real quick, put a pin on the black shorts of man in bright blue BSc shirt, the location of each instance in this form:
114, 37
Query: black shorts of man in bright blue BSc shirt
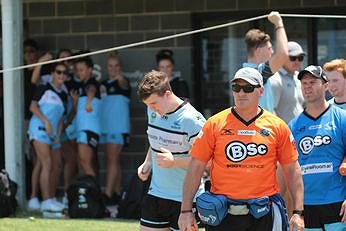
316, 216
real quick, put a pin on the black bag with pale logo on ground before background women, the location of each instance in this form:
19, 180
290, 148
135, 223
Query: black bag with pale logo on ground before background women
85, 198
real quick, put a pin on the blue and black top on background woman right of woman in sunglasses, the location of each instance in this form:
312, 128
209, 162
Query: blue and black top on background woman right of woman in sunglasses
89, 121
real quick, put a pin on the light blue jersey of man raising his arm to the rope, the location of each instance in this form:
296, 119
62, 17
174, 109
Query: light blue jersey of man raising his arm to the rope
266, 101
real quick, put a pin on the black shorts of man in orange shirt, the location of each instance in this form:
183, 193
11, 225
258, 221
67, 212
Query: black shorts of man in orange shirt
244, 223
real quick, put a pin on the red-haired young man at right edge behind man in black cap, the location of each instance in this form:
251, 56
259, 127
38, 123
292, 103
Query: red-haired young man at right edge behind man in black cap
336, 72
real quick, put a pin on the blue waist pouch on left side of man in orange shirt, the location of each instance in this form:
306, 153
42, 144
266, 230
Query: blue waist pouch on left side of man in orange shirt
212, 208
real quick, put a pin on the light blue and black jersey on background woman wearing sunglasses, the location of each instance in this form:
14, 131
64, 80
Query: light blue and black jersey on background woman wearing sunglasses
52, 104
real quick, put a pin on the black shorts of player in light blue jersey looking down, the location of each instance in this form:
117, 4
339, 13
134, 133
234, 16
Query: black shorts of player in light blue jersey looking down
160, 213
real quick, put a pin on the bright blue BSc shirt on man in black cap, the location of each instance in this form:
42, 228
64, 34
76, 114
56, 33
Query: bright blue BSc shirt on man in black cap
321, 143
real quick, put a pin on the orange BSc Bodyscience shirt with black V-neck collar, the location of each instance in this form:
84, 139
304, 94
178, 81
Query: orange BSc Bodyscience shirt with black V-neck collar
244, 154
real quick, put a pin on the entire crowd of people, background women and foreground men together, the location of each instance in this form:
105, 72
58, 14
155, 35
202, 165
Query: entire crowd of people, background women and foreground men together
280, 144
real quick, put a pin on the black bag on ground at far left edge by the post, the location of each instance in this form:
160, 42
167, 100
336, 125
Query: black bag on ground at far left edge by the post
8, 190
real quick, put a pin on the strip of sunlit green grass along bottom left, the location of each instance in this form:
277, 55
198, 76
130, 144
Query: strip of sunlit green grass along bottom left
34, 222
